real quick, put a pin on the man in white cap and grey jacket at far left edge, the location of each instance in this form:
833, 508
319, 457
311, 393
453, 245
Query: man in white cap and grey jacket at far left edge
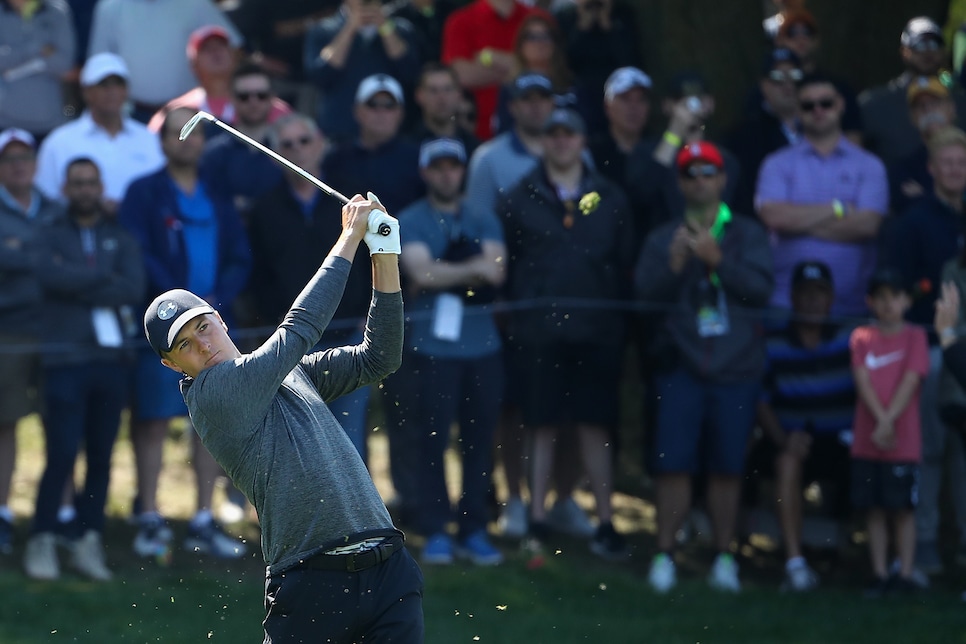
23, 210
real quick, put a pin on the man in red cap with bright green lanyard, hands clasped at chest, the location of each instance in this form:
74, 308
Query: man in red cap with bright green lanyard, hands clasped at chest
709, 274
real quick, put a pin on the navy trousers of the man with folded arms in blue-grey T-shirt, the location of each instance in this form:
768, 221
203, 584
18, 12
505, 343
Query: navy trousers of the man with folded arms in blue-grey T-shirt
470, 392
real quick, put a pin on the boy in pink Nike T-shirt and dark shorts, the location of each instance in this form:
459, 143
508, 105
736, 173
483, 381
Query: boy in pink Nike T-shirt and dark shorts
889, 361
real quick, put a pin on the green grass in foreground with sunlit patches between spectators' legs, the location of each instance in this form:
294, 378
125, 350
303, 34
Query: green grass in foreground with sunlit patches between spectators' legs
571, 598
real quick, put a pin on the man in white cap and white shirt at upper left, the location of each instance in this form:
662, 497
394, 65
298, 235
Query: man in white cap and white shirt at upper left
123, 148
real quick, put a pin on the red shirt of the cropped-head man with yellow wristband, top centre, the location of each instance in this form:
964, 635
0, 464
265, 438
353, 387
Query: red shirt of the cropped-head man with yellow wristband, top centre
478, 45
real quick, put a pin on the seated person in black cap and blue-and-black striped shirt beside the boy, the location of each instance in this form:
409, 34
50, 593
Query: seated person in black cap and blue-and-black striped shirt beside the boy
805, 412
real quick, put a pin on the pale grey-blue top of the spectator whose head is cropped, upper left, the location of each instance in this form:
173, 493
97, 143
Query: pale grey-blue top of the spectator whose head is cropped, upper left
151, 36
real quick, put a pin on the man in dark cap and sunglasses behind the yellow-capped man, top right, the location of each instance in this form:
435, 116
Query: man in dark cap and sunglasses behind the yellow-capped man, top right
886, 128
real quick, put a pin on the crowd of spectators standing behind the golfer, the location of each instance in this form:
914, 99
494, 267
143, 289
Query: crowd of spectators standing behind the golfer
776, 287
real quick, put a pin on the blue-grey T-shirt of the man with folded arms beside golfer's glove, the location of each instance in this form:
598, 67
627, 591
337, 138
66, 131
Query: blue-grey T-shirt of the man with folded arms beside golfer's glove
421, 223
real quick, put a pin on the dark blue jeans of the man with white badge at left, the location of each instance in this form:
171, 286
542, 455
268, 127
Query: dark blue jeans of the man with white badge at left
81, 403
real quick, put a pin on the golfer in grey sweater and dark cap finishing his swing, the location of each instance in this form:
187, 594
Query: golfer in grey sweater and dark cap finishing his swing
336, 567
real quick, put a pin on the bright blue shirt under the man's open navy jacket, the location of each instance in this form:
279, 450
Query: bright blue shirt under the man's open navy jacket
200, 238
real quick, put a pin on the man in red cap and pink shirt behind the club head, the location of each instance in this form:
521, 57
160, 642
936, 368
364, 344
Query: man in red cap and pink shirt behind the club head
213, 60
